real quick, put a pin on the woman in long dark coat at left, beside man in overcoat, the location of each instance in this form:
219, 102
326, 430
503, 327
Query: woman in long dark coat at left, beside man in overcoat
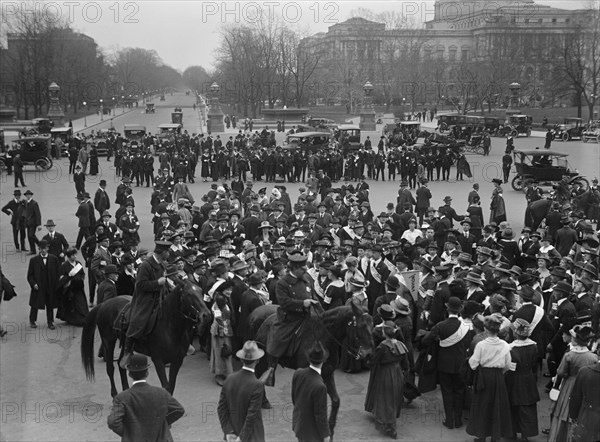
72, 306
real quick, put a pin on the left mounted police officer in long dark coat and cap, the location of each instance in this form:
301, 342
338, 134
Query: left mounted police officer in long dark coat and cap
149, 285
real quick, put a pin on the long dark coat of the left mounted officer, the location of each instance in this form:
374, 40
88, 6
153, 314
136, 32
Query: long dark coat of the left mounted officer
145, 298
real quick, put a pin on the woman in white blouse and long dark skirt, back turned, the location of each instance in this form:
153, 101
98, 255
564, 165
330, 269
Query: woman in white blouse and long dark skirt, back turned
490, 409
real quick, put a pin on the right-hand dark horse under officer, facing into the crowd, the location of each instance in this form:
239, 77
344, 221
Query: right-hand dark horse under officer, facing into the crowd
347, 324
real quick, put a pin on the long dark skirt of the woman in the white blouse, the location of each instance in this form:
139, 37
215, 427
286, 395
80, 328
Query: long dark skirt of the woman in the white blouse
490, 409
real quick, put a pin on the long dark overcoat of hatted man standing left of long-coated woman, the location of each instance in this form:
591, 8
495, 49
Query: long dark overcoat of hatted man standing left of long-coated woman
46, 277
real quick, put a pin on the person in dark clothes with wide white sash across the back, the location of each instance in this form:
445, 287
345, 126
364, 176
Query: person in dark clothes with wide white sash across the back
453, 336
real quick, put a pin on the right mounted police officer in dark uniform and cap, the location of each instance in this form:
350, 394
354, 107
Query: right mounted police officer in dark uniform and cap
295, 298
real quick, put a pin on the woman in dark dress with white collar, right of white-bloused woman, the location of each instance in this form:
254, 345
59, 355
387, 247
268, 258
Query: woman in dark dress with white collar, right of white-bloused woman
521, 382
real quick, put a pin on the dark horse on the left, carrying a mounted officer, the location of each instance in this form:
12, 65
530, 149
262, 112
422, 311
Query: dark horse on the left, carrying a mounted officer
180, 312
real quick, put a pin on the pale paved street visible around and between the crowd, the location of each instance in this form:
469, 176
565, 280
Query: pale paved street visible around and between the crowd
45, 395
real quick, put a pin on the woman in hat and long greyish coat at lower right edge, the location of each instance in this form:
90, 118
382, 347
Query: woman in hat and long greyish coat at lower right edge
576, 358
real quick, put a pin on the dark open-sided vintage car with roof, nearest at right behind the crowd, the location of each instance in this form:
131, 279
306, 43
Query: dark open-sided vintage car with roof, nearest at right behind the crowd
544, 166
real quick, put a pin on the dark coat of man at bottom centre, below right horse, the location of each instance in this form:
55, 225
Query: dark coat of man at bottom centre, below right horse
309, 396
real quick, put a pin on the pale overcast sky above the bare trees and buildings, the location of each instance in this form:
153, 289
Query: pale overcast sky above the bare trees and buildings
186, 33
